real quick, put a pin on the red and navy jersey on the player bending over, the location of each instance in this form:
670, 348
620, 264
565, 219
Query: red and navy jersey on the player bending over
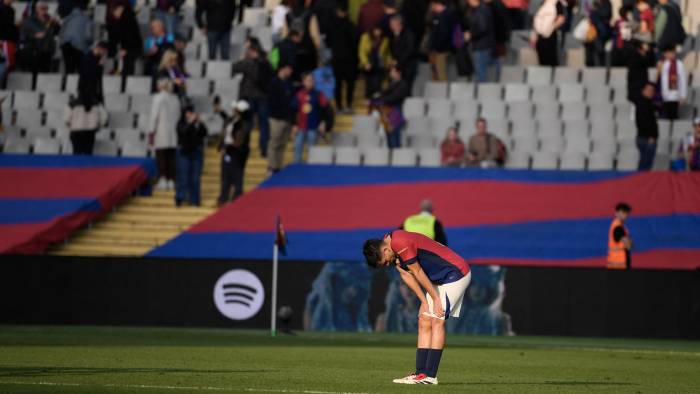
439, 262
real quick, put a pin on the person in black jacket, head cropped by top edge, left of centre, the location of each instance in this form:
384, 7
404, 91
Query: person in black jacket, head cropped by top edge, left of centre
217, 26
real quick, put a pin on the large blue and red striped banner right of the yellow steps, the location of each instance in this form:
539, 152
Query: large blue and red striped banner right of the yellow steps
553, 218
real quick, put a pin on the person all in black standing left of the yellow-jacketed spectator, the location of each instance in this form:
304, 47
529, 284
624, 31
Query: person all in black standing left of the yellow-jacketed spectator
344, 47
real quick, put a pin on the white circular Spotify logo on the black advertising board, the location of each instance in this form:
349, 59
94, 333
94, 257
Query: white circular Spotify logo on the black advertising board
239, 294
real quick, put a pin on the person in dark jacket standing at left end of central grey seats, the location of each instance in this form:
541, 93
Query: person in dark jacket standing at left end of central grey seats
390, 102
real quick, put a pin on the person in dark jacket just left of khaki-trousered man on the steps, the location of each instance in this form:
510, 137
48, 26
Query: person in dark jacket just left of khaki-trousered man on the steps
257, 74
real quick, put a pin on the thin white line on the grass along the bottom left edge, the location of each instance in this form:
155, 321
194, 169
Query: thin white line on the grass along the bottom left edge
191, 388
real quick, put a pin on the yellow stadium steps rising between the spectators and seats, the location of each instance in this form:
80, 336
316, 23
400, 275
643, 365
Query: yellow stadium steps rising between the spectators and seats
139, 224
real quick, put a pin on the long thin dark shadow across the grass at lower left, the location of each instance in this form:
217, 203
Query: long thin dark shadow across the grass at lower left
53, 371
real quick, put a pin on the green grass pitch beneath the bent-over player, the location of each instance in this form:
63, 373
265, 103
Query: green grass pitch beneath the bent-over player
151, 360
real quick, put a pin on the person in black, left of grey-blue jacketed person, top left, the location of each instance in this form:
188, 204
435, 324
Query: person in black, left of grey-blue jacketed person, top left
38, 35
